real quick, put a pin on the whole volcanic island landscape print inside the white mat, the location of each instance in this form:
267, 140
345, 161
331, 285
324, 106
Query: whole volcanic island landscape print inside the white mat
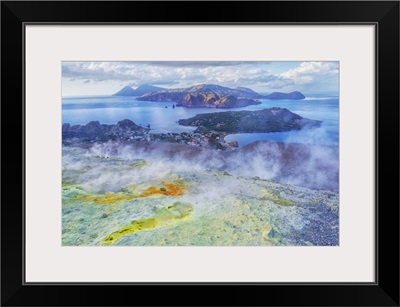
137, 170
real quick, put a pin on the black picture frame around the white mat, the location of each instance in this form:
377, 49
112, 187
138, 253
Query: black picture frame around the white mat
383, 14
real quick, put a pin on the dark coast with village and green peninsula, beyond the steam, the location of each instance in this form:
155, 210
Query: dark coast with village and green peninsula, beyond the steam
211, 128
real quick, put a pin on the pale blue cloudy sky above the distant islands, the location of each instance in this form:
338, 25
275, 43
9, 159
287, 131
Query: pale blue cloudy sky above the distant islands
106, 78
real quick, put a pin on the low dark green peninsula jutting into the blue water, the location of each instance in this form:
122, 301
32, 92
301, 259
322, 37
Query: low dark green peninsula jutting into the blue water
267, 120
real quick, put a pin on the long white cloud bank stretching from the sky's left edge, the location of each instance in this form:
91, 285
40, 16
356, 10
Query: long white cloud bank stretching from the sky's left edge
188, 73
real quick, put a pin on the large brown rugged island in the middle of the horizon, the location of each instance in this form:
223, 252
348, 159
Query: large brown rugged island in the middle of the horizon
206, 96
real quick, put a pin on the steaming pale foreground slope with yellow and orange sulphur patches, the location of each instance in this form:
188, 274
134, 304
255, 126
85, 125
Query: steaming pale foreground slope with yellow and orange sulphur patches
161, 194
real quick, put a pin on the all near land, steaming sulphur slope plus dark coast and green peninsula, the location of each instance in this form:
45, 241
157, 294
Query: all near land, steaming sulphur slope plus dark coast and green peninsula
122, 185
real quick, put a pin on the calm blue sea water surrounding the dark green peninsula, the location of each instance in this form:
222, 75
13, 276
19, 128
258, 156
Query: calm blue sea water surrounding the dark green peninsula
163, 118
